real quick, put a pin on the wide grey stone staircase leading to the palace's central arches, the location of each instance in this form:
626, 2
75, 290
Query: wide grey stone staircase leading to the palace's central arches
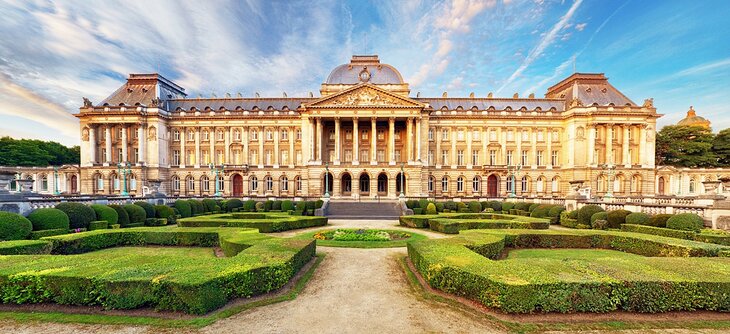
363, 210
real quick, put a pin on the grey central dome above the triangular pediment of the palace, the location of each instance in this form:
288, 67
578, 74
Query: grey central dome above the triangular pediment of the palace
364, 69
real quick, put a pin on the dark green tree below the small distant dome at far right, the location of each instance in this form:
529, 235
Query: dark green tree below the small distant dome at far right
685, 146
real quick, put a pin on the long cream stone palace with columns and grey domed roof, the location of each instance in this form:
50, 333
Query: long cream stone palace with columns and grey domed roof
367, 135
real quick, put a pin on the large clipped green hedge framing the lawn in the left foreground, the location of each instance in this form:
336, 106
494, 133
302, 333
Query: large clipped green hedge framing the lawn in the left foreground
255, 264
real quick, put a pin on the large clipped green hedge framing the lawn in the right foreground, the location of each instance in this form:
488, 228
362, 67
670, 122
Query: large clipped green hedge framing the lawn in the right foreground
462, 266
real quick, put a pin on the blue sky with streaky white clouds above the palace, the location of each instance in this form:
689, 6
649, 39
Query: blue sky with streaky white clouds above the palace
54, 53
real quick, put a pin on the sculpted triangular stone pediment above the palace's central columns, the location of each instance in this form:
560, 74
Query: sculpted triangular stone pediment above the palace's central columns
365, 95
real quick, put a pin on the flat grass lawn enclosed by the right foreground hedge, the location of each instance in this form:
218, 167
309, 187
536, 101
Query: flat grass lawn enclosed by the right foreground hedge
570, 254
